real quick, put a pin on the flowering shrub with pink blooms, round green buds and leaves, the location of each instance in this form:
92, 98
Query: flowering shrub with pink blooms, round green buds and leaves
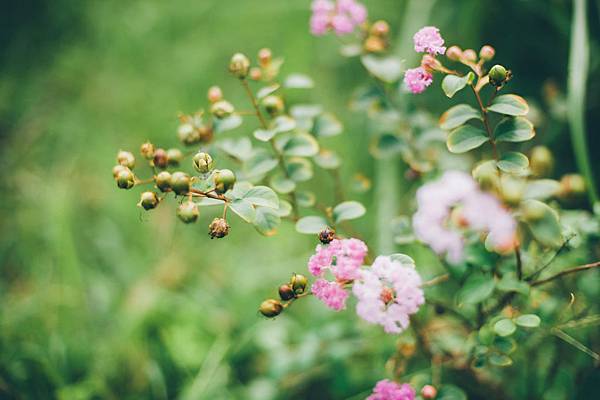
490, 213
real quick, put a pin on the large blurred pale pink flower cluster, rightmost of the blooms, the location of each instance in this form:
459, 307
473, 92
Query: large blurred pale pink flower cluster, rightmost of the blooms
479, 211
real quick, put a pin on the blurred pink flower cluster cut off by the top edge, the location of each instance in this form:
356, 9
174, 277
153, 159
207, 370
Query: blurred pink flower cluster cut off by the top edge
341, 16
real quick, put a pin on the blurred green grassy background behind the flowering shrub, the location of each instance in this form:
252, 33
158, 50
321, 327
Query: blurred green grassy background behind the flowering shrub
98, 299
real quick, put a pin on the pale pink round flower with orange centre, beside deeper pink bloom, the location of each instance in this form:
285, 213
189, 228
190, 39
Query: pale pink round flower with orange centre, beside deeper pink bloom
388, 293
